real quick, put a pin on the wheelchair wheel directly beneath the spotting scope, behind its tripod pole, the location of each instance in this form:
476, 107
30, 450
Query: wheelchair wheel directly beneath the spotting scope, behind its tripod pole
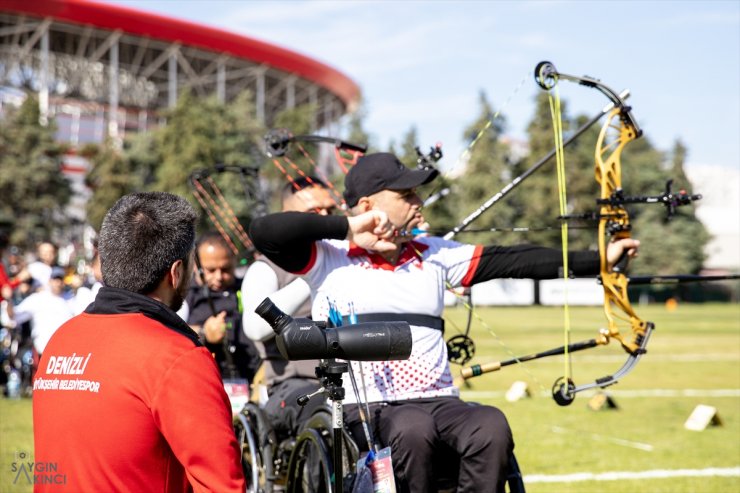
311, 469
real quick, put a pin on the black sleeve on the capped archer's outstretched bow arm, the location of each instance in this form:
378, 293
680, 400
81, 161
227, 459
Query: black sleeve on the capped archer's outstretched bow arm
532, 262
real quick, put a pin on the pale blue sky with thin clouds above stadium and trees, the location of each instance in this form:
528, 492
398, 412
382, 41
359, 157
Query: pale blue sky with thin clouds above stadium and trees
423, 64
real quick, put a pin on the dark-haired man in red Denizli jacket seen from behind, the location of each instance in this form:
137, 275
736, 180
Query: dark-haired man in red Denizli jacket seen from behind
125, 397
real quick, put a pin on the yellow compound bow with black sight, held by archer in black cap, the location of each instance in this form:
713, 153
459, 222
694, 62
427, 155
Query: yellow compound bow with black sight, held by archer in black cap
619, 129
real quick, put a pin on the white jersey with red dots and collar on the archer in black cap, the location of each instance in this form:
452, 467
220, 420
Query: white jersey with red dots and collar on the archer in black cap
349, 276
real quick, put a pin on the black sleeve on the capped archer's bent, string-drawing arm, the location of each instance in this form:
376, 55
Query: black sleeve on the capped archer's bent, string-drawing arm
287, 238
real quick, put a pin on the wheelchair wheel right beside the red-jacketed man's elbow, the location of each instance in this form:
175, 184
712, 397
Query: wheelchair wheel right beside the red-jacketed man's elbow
257, 444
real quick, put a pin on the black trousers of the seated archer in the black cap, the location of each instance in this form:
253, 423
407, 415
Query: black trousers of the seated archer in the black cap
421, 431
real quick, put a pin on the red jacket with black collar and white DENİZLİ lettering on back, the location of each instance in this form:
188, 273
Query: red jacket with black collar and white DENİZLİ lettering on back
126, 399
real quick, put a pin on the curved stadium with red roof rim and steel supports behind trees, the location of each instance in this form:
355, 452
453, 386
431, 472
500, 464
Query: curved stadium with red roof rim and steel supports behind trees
102, 69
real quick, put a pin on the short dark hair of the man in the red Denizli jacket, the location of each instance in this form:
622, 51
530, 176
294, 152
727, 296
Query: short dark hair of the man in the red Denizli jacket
142, 235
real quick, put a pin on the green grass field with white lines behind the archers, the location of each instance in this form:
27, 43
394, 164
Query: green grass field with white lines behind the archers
693, 358
